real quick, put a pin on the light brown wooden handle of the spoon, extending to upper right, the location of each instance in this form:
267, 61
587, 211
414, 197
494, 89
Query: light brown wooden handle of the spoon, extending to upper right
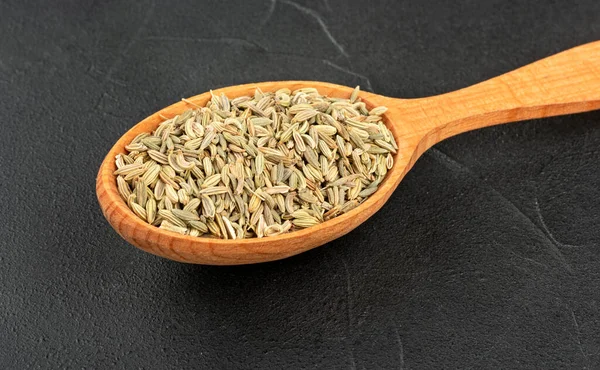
568, 82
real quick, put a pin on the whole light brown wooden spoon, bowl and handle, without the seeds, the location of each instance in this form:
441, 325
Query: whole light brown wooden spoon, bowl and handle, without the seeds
568, 82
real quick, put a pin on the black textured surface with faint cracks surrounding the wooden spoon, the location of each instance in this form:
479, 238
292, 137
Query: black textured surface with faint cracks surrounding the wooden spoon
487, 255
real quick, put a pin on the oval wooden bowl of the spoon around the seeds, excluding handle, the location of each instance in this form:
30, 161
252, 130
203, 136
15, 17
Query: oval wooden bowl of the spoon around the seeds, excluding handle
212, 251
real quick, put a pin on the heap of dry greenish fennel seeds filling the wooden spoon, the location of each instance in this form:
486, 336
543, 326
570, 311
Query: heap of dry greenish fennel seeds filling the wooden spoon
256, 166
